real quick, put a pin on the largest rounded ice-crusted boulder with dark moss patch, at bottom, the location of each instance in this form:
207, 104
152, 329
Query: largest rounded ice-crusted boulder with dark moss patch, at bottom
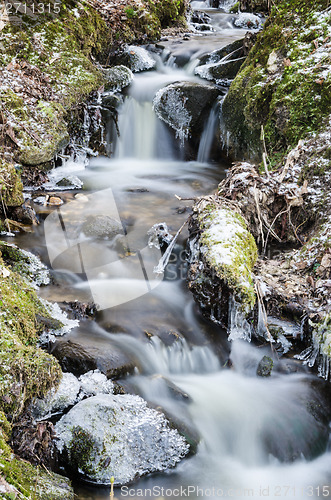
107, 435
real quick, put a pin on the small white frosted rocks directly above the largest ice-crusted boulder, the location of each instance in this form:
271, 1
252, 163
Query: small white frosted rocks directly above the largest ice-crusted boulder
70, 391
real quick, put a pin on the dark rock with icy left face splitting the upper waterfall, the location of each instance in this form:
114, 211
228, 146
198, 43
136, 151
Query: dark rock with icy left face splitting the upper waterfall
184, 106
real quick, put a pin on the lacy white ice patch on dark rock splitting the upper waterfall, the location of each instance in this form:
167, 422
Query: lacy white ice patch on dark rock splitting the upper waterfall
170, 107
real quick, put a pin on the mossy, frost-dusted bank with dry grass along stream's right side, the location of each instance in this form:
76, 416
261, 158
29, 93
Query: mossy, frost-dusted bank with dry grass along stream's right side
277, 116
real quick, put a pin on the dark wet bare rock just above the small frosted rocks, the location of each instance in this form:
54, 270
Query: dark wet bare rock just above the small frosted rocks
83, 356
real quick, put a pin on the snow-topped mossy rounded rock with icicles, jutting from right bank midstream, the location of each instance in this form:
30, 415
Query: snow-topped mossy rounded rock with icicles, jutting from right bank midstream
222, 256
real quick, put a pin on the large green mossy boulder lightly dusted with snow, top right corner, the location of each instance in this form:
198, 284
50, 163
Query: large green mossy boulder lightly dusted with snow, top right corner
292, 100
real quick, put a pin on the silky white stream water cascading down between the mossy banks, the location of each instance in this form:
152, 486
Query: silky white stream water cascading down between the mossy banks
258, 437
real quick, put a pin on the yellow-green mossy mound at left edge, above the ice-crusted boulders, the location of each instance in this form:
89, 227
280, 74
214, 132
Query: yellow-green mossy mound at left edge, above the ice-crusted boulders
26, 372
